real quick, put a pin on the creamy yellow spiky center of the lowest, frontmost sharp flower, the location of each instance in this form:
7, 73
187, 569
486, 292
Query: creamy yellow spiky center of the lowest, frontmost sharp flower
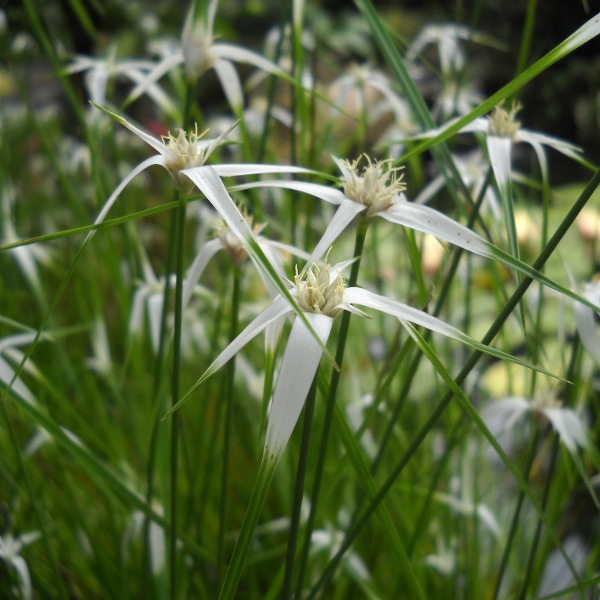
317, 293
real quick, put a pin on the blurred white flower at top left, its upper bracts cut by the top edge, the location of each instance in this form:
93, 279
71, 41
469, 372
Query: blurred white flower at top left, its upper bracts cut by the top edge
200, 52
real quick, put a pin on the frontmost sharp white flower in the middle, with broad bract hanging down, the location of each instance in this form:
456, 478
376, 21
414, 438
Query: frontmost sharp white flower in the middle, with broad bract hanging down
321, 292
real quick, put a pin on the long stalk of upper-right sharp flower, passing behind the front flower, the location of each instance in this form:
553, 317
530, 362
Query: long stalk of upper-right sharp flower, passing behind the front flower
361, 233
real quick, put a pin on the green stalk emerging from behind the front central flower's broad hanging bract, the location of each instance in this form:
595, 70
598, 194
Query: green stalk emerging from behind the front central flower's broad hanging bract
309, 409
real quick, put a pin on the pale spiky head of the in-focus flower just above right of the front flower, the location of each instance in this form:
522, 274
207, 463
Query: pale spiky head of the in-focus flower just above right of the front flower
375, 186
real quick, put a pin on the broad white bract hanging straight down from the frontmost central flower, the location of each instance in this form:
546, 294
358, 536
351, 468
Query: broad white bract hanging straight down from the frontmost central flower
298, 368
